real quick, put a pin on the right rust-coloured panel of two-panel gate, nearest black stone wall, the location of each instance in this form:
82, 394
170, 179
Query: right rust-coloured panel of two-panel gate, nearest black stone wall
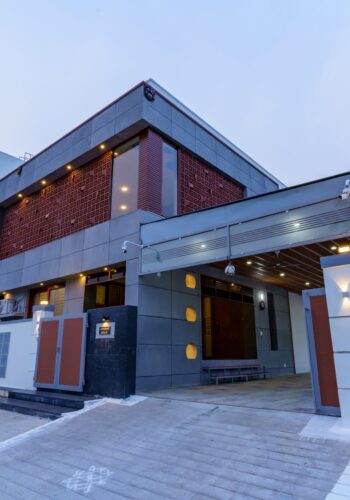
72, 345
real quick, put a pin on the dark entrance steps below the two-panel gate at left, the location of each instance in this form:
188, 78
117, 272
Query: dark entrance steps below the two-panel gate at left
43, 404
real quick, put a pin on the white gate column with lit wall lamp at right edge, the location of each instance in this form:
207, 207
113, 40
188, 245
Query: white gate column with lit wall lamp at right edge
336, 270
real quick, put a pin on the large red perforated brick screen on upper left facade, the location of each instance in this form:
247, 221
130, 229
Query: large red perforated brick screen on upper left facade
78, 200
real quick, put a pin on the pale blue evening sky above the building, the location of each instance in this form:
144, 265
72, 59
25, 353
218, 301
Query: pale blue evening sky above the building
273, 76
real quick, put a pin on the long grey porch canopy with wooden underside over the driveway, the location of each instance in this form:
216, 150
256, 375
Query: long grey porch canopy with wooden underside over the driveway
290, 228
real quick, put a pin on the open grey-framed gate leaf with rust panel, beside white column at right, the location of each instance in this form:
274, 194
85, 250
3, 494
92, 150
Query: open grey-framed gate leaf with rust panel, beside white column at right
323, 374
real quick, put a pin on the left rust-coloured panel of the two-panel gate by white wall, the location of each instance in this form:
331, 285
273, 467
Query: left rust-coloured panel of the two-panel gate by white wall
45, 372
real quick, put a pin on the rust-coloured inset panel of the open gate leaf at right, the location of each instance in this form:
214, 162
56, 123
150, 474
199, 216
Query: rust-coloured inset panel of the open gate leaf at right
324, 351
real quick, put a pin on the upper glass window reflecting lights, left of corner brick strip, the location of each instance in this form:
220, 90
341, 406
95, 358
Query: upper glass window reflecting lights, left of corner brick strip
125, 179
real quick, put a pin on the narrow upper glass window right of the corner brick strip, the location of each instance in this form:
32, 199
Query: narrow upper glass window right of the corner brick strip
169, 181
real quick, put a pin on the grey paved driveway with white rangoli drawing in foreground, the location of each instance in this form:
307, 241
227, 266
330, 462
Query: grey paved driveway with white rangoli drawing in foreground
162, 448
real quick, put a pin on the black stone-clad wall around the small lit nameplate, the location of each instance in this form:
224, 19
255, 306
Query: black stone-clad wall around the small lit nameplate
110, 367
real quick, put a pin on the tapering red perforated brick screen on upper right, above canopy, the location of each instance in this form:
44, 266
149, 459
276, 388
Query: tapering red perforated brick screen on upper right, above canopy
201, 186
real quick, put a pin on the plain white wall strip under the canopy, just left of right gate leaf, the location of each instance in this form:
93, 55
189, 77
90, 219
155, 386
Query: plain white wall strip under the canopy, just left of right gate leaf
299, 335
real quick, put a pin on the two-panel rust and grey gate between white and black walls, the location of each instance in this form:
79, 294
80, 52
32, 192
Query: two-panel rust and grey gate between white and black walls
61, 353
